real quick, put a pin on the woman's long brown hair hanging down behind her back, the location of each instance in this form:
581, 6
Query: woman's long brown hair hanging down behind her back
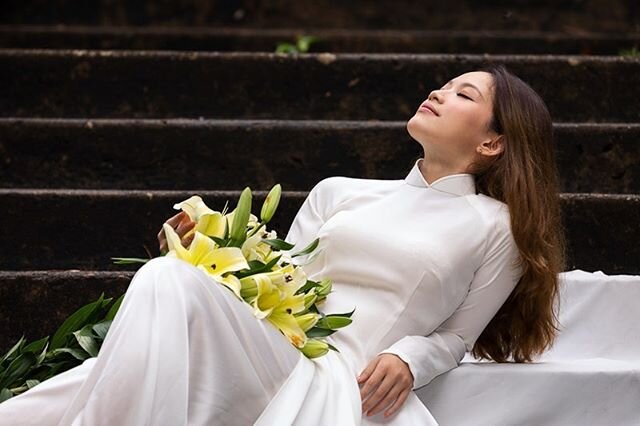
525, 177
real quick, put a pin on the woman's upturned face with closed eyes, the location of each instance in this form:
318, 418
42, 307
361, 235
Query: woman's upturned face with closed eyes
463, 109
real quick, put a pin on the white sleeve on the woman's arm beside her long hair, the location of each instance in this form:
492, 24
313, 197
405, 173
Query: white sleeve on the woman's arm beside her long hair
443, 349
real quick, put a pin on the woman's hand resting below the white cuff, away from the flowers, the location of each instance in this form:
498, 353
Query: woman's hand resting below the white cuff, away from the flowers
386, 380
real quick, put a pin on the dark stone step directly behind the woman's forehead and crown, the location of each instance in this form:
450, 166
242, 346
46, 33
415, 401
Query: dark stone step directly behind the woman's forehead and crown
166, 84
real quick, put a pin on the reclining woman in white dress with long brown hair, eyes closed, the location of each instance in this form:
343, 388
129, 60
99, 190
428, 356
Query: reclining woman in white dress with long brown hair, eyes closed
463, 254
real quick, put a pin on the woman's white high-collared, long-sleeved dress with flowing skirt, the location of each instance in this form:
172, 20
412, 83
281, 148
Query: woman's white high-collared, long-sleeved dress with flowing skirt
426, 267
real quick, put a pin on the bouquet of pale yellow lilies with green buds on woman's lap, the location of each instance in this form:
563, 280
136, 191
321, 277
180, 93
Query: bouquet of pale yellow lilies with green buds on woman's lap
235, 250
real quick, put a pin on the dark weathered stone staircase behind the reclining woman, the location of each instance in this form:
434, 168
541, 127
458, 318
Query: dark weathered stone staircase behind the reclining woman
96, 145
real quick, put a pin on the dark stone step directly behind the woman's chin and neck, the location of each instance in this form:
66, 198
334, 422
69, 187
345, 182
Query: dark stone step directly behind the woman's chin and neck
151, 154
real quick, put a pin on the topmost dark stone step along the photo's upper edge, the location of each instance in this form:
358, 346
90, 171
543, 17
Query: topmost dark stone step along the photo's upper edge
566, 15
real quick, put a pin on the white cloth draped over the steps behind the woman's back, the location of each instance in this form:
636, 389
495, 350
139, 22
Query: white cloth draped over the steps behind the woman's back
591, 375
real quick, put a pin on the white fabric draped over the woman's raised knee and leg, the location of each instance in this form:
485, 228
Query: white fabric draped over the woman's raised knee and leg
182, 350
